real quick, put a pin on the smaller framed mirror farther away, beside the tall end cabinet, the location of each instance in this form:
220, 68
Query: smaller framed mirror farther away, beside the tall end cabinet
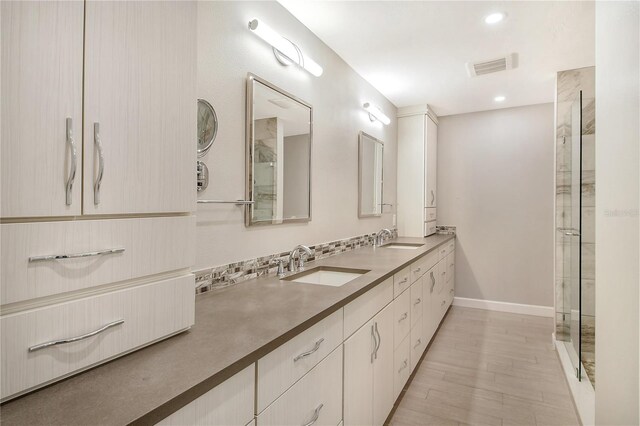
370, 175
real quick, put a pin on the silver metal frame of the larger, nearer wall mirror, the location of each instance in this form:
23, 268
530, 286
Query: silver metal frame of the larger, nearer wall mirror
251, 78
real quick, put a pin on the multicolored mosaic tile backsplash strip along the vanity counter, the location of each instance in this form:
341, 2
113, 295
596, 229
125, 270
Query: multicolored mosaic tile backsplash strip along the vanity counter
233, 273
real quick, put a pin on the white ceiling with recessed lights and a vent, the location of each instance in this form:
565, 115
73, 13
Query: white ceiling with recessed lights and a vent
414, 52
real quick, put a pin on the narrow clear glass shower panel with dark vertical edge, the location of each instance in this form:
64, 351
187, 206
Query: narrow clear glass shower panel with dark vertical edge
571, 235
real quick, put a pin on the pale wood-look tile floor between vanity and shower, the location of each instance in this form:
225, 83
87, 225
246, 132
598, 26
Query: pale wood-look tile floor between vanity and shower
488, 368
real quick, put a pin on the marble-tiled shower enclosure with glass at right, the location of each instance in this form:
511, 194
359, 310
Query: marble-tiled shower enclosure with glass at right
575, 221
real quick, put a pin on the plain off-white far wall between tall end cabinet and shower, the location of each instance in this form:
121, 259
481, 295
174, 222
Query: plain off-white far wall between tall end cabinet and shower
495, 184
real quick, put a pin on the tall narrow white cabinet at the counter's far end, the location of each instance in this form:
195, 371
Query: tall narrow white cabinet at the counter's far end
417, 171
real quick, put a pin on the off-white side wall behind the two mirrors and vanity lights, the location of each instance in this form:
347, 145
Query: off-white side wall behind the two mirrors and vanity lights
227, 51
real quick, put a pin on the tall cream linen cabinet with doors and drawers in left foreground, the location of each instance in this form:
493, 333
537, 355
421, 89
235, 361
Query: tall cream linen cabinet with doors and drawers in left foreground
97, 184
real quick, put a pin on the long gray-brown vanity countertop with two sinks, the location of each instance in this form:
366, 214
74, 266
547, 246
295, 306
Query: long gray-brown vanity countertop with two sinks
235, 326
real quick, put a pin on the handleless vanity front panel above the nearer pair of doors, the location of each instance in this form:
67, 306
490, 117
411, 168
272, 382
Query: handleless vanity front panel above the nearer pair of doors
361, 310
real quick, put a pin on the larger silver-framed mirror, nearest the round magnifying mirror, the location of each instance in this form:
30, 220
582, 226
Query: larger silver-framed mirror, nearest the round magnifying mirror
278, 155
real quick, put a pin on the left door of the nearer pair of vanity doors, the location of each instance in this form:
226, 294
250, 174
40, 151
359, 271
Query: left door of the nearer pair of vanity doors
358, 376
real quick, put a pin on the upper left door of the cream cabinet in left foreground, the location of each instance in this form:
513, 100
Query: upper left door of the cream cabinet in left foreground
41, 87
